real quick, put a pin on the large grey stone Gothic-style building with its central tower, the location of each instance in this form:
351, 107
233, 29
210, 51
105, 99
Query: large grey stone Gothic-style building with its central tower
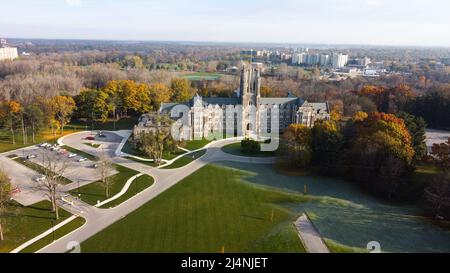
247, 114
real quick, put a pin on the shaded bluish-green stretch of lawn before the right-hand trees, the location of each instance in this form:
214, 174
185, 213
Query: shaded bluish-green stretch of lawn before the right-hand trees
349, 216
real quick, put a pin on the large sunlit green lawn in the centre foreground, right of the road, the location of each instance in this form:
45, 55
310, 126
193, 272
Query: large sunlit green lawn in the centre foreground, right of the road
201, 215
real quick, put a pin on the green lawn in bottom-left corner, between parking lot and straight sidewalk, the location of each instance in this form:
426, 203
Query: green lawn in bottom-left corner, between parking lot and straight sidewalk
24, 223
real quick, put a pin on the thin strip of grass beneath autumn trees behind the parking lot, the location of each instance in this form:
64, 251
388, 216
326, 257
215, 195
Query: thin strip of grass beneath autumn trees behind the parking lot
110, 125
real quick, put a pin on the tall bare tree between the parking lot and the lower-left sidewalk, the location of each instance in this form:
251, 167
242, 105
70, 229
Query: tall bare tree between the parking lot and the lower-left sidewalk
54, 169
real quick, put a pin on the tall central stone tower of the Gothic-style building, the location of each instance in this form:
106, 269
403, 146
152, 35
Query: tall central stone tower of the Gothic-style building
250, 96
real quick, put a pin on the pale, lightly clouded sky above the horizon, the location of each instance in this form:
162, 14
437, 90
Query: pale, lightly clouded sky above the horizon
371, 22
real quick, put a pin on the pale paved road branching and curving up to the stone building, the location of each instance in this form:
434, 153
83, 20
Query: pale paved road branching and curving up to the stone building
99, 219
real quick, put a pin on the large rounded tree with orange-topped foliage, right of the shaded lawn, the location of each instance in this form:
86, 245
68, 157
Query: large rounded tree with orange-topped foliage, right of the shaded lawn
382, 155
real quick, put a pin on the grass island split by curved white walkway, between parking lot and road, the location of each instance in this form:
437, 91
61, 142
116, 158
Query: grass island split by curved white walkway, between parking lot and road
96, 191
